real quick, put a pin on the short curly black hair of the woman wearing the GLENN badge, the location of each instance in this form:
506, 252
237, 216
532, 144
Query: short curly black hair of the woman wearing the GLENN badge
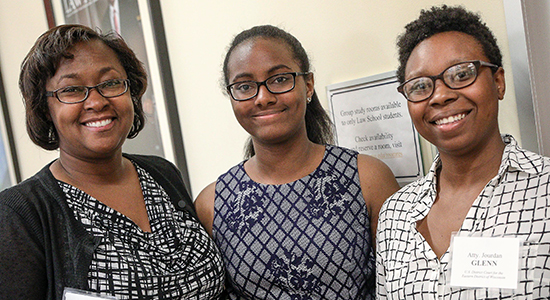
442, 19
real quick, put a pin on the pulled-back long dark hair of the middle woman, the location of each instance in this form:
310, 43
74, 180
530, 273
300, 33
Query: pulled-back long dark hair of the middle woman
318, 125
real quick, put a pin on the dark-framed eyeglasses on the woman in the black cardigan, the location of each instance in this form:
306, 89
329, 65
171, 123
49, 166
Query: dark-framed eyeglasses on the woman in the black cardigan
79, 93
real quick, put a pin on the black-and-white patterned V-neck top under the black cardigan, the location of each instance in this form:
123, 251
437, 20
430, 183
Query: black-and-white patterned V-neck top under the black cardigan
174, 261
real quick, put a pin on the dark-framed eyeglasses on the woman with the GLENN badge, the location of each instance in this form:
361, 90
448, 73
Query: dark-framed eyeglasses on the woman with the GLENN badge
455, 77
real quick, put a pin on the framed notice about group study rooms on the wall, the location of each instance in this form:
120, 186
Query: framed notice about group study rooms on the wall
371, 117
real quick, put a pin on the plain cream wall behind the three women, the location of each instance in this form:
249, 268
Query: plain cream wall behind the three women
345, 39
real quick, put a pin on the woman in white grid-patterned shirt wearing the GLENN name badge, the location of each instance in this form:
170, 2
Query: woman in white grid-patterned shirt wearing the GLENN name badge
477, 226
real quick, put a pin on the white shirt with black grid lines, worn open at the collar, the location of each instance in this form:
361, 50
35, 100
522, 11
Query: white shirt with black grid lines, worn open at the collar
516, 203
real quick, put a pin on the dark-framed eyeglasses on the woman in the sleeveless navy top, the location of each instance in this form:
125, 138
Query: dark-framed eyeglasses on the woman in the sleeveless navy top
276, 84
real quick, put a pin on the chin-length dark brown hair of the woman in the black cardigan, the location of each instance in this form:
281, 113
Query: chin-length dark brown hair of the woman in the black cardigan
42, 62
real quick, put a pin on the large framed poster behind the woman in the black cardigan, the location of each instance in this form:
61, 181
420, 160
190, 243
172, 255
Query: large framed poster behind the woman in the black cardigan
140, 24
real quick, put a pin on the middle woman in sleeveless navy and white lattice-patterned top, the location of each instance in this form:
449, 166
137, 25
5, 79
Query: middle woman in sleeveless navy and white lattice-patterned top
296, 219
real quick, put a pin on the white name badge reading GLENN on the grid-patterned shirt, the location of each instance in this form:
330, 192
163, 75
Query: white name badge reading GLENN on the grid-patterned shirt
485, 262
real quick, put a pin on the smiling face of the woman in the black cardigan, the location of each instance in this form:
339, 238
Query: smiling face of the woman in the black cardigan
92, 125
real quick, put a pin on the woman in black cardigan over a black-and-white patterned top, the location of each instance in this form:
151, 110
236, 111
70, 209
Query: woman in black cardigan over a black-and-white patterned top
97, 220
